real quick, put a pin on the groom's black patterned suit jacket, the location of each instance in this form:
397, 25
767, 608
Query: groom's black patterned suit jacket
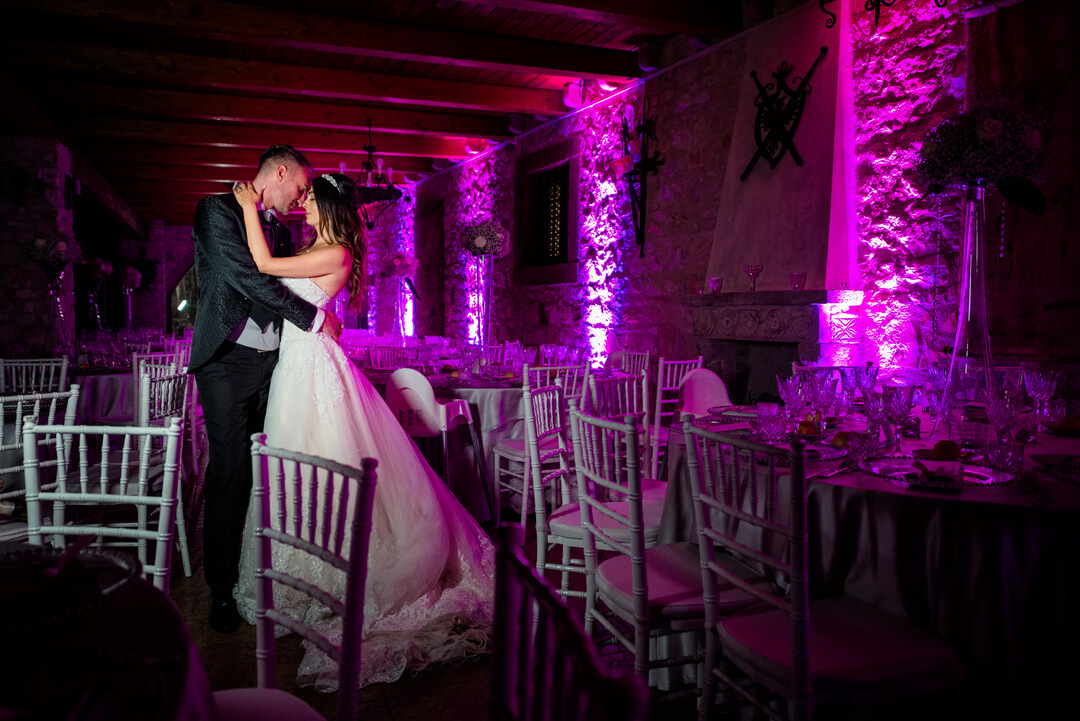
229, 282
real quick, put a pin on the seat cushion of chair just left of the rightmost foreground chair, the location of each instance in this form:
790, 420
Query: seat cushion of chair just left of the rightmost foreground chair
674, 579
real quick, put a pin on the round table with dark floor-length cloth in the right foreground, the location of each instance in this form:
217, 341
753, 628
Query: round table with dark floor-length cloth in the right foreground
993, 572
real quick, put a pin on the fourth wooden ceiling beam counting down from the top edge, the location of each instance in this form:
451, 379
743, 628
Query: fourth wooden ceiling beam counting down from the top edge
113, 101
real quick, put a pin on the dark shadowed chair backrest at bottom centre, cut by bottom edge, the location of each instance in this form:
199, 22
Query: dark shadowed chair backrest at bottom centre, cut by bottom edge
546, 669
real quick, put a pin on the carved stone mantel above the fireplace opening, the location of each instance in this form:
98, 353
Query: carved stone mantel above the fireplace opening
779, 317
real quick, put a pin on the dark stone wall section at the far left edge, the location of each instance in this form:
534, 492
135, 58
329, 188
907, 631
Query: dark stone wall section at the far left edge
33, 175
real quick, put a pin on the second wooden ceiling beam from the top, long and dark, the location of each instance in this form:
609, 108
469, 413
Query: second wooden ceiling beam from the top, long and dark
340, 34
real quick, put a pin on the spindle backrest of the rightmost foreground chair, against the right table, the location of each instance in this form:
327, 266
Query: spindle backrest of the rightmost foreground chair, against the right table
742, 510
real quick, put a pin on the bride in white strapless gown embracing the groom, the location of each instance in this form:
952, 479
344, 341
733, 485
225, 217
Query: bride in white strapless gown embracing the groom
430, 584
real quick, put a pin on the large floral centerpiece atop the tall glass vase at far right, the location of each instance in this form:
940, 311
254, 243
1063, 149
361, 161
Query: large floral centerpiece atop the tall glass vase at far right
993, 143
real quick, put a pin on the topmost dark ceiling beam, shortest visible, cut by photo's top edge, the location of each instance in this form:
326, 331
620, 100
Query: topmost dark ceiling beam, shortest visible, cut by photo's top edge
720, 19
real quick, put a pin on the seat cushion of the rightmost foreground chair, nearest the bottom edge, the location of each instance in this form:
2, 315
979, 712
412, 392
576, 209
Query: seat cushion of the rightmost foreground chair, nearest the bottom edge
858, 652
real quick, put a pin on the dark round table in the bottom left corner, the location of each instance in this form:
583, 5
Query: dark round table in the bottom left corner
96, 641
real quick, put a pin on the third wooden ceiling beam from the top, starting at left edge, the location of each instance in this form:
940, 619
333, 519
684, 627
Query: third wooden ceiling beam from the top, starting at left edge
148, 69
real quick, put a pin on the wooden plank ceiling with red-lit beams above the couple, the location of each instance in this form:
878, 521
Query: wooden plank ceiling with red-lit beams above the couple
170, 101
